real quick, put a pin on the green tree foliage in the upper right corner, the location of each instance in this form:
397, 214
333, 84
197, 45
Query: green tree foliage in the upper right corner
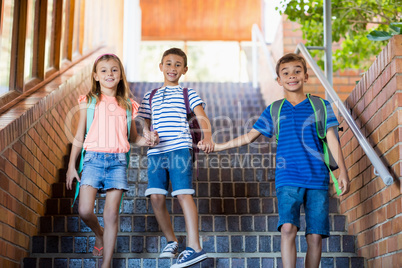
353, 21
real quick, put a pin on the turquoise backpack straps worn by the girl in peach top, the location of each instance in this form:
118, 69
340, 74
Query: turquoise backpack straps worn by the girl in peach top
90, 118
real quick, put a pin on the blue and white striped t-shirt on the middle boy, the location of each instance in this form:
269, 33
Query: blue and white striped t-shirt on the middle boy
169, 117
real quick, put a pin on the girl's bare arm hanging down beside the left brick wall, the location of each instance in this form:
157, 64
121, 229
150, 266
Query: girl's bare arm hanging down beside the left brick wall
77, 146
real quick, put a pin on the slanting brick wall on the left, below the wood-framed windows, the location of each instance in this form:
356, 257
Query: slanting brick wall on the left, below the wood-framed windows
33, 147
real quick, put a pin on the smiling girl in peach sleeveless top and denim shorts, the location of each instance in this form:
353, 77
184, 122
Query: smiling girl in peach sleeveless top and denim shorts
106, 145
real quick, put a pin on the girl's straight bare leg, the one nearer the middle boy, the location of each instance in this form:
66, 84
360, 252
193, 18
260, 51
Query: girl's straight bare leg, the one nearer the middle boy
110, 218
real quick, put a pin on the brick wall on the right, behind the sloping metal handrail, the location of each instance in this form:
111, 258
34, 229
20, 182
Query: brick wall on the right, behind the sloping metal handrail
374, 210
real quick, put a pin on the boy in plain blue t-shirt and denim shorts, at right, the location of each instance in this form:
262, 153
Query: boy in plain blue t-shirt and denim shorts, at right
301, 177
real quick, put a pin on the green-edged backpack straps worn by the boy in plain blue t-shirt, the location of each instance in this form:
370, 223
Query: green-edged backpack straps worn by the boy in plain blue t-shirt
320, 113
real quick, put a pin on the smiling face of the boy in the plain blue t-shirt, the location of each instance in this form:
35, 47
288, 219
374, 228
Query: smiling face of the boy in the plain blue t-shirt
292, 76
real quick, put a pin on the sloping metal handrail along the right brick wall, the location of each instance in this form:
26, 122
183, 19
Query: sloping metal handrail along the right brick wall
379, 168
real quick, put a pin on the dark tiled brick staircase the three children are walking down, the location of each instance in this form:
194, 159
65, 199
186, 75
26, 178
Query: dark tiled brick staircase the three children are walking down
235, 197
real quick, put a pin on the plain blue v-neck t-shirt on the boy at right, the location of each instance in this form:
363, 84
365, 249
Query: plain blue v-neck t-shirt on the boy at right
299, 157
